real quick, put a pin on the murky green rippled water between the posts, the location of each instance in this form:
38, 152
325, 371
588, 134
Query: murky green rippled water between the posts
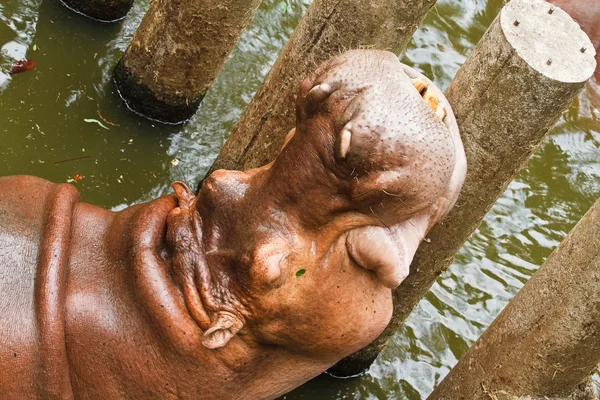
43, 132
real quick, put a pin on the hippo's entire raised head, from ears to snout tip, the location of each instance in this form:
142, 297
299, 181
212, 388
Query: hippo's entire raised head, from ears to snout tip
303, 253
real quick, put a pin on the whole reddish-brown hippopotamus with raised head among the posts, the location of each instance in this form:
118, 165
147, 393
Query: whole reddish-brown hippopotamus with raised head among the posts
261, 281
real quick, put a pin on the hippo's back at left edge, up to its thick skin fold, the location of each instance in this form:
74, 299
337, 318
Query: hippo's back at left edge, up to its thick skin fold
34, 214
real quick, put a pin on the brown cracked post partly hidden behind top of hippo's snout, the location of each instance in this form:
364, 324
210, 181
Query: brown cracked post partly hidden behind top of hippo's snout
328, 28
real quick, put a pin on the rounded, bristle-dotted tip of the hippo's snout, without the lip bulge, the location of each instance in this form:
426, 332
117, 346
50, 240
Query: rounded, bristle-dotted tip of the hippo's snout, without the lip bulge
392, 132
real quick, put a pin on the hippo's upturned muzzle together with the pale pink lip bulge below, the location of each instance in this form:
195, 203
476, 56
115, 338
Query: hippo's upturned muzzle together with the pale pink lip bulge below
379, 143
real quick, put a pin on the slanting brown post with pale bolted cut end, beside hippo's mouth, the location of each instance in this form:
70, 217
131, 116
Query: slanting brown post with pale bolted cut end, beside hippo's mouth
524, 72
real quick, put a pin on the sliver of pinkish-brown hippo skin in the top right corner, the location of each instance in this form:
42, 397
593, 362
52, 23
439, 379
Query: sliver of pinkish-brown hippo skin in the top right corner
587, 14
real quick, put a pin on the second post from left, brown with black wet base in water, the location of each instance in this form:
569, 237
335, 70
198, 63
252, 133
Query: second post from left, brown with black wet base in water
176, 54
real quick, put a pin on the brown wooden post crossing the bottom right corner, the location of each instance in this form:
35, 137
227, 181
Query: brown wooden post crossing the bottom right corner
546, 342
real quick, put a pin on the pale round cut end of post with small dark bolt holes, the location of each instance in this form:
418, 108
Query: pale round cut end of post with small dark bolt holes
549, 40
